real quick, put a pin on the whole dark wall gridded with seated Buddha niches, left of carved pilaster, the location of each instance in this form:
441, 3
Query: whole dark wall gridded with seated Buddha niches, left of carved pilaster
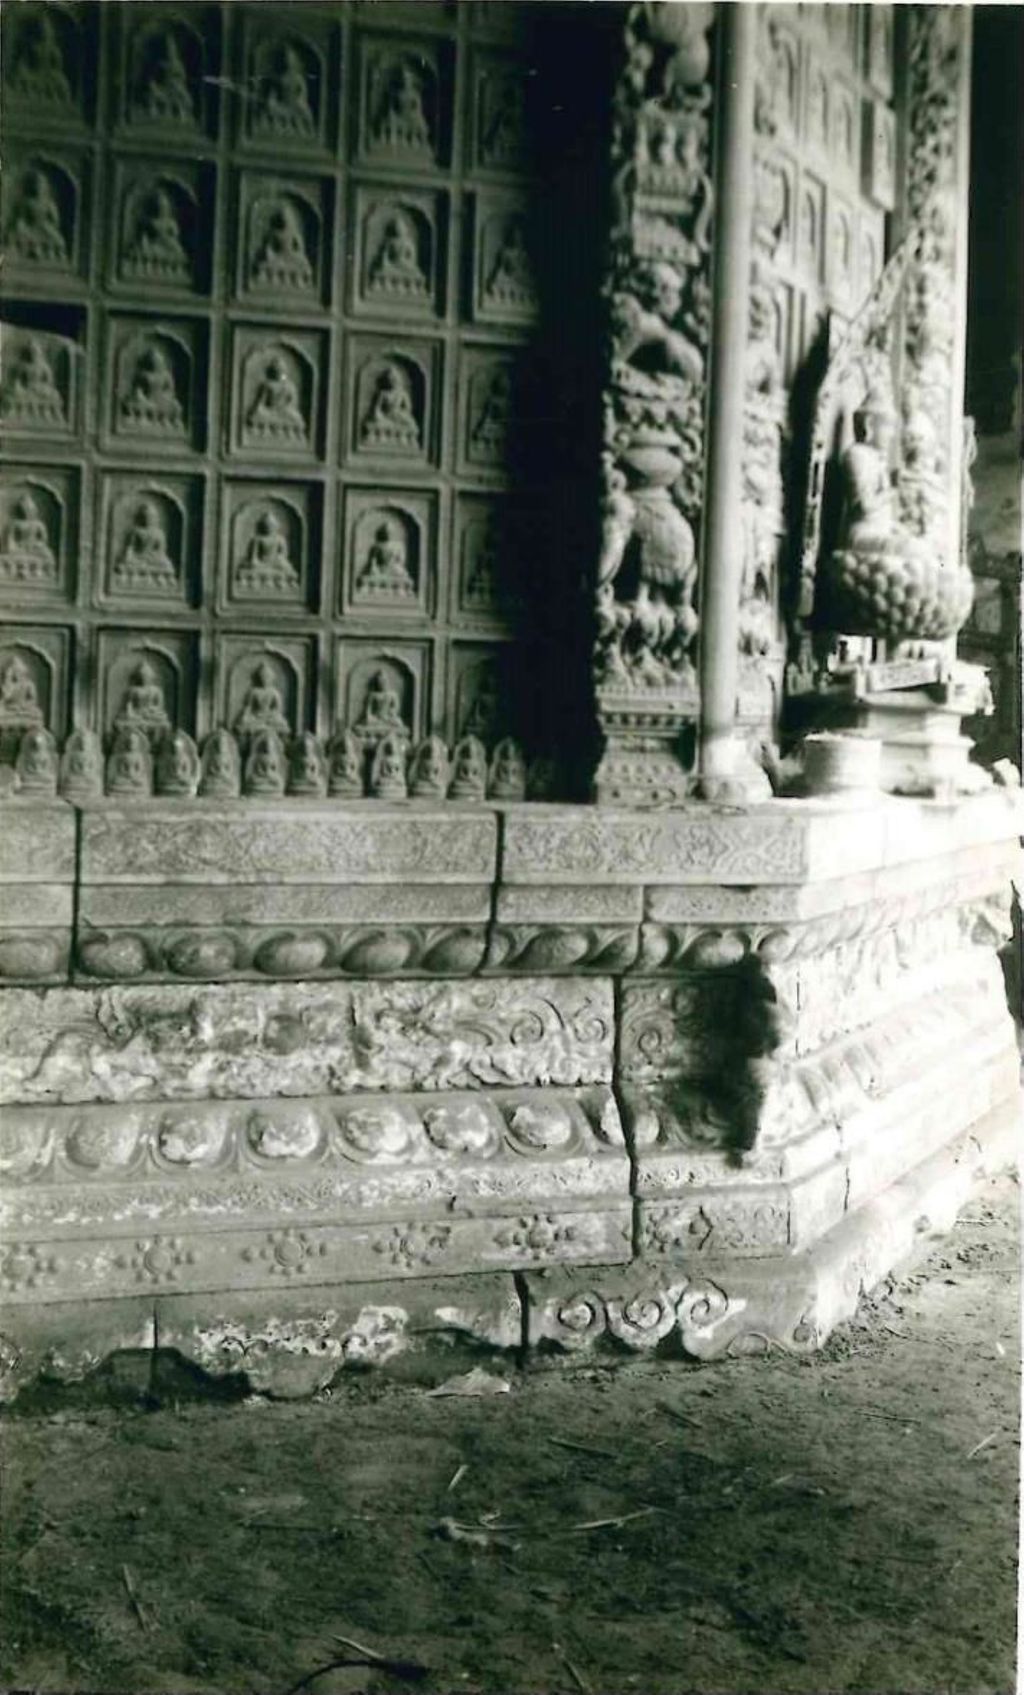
269, 313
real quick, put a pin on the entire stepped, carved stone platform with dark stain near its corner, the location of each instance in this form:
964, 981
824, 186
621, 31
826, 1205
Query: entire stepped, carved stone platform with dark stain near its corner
301, 1086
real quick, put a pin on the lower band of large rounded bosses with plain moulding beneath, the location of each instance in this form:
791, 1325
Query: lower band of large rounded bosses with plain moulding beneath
79, 1170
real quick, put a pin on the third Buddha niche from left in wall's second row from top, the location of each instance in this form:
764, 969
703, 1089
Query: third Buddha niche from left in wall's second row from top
284, 258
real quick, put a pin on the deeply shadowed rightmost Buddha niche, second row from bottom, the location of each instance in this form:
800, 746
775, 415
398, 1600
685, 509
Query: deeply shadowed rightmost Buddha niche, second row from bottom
493, 545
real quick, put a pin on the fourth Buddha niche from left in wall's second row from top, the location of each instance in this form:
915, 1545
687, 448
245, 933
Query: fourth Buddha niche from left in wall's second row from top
401, 252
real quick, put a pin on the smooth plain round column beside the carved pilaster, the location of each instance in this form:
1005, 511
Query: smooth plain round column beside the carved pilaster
725, 772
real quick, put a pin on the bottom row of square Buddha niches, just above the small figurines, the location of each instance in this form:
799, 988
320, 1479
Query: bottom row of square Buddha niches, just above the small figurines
162, 681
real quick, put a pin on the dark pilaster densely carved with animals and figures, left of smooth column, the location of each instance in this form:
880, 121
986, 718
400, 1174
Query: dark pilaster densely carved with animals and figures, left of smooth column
659, 303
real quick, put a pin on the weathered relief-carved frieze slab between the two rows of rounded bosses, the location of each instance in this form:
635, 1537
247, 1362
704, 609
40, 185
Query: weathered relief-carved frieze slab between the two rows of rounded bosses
228, 1042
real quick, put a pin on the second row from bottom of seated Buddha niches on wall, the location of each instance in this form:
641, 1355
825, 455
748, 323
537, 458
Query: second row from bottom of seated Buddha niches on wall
398, 553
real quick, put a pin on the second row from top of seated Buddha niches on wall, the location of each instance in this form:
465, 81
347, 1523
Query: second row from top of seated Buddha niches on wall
296, 240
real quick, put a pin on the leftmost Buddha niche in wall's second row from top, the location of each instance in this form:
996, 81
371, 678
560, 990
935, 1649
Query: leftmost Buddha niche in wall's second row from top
45, 214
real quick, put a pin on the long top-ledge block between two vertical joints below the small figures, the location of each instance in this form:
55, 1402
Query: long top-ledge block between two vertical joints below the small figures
301, 843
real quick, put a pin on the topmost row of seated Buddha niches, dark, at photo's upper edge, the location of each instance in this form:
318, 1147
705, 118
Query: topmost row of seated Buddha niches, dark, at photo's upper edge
284, 84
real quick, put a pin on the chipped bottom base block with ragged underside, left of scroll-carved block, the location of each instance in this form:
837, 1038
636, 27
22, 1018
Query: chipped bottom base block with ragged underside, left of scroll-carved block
298, 1342
